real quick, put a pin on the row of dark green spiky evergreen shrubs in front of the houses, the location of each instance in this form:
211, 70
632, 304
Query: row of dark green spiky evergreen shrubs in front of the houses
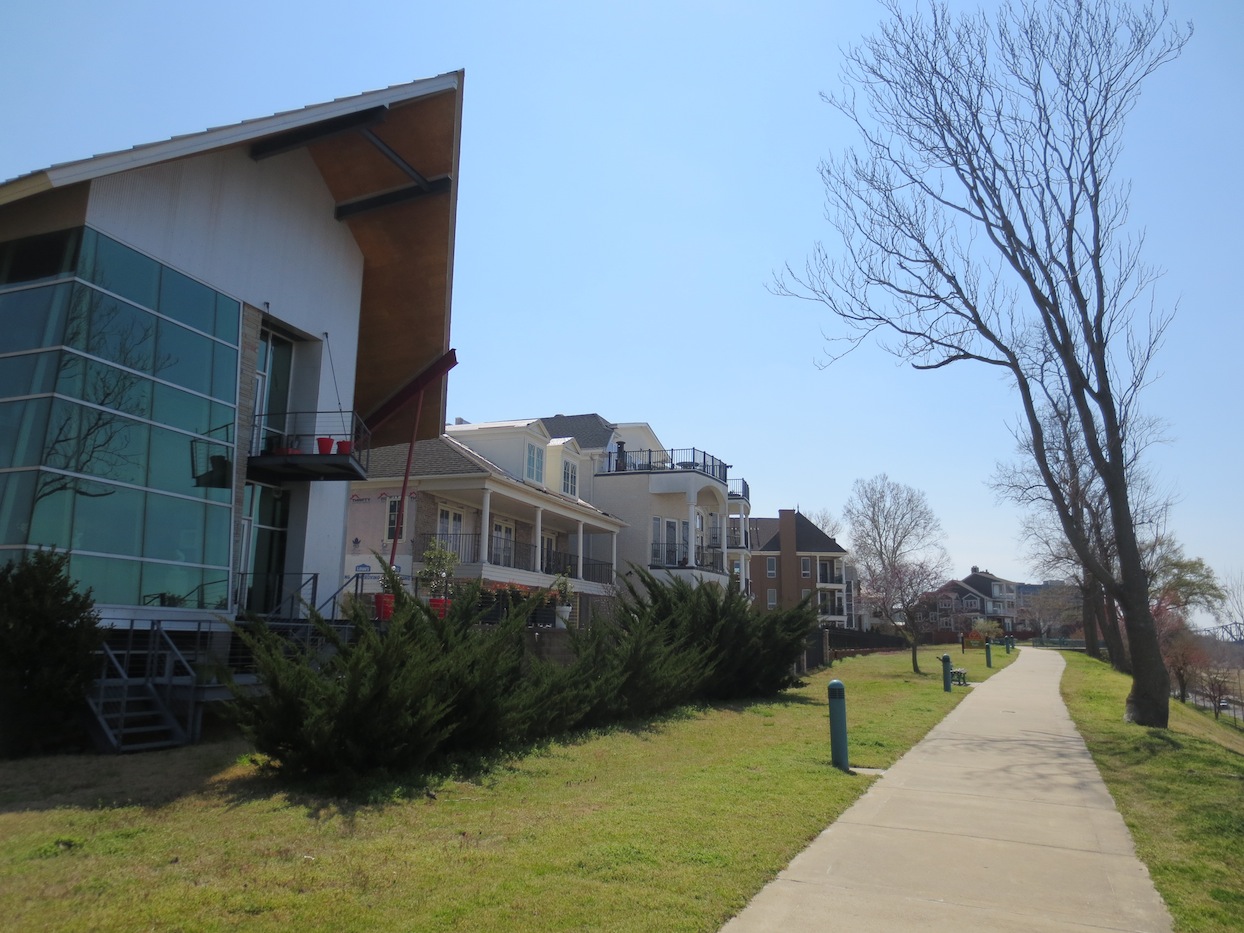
421, 691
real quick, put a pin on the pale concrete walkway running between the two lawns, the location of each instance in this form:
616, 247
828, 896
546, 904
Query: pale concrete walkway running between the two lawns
997, 822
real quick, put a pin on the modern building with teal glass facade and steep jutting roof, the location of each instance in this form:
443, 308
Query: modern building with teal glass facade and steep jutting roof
202, 339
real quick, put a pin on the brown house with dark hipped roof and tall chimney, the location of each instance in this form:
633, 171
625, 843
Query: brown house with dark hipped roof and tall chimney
794, 559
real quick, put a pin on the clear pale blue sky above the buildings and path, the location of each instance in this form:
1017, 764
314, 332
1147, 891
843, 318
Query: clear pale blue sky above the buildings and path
633, 175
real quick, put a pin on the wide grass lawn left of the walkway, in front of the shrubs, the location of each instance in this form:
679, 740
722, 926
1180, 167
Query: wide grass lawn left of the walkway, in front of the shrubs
670, 825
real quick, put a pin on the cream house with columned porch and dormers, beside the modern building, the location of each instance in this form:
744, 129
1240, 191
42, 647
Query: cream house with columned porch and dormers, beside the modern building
512, 517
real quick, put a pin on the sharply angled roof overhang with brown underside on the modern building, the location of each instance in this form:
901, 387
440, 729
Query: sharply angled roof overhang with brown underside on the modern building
390, 160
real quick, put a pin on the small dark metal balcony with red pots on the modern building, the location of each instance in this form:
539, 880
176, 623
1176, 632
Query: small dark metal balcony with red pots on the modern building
310, 446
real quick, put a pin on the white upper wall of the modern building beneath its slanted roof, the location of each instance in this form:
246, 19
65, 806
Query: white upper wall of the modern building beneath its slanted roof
264, 233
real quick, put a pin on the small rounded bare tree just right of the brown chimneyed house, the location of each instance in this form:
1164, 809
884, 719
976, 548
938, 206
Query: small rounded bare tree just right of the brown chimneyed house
898, 545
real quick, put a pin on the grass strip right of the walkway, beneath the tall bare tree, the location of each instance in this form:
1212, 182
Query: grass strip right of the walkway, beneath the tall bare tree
1181, 792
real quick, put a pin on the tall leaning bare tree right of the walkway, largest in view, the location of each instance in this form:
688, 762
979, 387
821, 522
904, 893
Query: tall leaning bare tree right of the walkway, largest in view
982, 223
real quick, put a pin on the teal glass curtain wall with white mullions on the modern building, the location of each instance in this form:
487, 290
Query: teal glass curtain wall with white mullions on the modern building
119, 390
